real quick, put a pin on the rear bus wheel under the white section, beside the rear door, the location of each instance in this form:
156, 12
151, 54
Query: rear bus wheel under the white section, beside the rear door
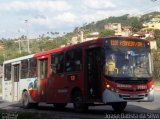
25, 100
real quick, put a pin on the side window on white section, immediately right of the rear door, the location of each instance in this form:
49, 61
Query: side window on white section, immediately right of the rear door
24, 69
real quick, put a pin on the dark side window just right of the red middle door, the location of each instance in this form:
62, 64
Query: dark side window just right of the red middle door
57, 63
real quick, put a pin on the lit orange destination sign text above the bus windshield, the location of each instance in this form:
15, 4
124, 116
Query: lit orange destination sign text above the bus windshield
126, 43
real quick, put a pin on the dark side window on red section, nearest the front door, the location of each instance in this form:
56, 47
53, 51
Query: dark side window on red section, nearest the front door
74, 60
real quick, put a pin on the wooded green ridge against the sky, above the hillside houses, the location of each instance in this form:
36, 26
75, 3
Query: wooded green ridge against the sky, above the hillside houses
125, 20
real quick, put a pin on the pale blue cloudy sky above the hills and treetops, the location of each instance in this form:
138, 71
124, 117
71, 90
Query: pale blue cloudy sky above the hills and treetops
37, 17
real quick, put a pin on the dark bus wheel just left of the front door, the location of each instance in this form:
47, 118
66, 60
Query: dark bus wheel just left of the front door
79, 106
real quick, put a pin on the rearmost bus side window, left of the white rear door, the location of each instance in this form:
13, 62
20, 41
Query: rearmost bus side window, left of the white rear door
7, 72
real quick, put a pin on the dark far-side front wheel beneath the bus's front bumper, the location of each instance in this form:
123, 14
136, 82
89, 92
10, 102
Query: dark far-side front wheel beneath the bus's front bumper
119, 106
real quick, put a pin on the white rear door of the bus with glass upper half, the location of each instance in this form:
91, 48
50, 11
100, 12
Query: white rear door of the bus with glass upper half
15, 81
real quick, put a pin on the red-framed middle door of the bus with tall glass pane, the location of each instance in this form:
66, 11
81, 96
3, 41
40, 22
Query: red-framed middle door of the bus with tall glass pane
42, 77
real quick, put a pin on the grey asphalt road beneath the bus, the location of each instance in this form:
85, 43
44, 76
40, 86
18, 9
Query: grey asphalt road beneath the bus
134, 110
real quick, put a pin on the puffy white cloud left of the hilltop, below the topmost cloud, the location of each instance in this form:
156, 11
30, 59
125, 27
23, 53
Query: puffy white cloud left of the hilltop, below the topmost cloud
54, 22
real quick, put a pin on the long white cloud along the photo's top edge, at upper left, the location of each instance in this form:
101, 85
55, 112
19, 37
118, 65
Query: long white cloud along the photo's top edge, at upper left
35, 5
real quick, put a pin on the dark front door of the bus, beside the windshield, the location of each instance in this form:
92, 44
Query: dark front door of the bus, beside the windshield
93, 73
